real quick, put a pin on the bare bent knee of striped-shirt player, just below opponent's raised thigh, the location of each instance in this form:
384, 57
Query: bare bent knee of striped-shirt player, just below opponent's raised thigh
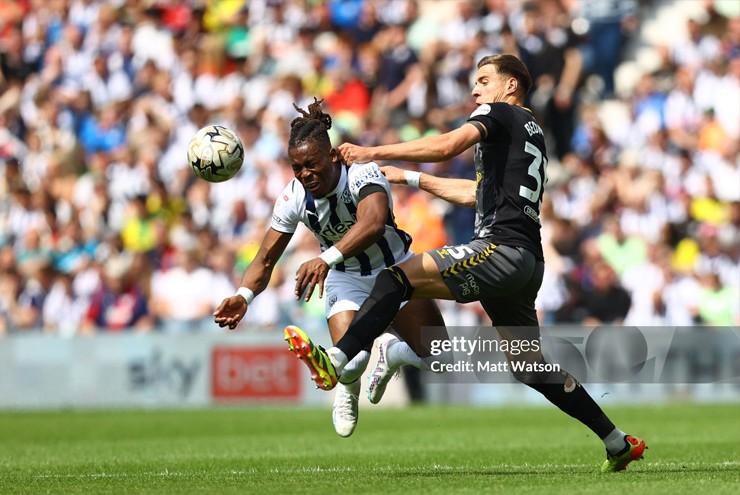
418, 323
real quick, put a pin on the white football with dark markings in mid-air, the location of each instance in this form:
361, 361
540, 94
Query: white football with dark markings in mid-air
216, 153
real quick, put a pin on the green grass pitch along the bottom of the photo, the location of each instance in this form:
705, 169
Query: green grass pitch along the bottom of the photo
693, 449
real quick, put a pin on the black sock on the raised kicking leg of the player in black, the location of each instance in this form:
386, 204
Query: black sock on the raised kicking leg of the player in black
377, 312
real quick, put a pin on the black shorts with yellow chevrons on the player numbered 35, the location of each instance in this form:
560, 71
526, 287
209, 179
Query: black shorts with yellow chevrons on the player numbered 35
504, 279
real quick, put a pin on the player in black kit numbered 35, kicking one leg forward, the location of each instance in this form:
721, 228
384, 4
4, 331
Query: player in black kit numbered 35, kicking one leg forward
502, 266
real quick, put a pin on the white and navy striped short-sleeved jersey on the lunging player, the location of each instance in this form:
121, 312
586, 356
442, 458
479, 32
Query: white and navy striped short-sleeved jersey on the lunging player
330, 217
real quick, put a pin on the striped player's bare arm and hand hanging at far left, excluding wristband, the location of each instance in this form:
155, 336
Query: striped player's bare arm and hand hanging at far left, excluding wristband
255, 278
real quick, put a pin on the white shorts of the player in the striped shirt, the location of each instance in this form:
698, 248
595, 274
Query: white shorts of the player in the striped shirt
347, 291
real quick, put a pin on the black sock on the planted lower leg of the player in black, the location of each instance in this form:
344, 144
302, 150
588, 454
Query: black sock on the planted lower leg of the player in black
568, 394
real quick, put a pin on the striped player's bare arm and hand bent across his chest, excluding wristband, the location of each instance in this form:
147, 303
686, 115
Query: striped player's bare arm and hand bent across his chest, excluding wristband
372, 211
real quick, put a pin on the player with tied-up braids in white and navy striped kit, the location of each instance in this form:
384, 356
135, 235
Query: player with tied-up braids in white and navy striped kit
350, 212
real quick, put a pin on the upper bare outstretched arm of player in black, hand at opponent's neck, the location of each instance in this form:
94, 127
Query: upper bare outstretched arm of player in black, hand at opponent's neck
427, 149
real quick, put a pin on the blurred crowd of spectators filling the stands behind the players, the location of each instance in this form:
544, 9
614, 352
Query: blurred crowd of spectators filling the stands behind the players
103, 226
